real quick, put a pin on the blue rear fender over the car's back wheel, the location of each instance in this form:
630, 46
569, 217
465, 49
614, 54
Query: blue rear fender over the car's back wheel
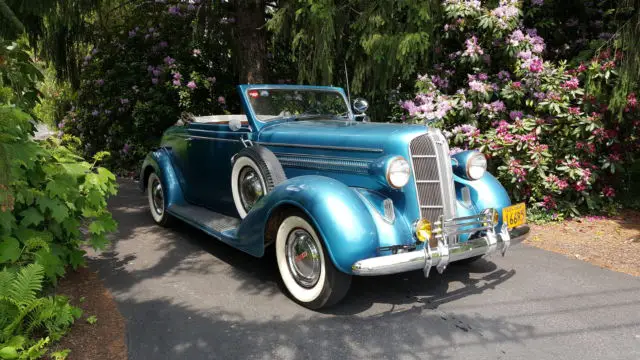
159, 161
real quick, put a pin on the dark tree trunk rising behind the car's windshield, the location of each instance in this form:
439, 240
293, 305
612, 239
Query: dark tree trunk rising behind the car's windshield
251, 41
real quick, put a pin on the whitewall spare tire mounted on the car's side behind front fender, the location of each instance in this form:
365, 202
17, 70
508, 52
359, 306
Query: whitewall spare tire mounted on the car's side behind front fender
256, 171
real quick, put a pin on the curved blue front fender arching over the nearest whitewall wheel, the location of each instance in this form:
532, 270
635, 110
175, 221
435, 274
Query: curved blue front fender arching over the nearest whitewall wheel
337, 212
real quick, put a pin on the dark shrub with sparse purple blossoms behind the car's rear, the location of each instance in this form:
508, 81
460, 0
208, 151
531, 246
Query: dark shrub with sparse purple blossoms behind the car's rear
136, 83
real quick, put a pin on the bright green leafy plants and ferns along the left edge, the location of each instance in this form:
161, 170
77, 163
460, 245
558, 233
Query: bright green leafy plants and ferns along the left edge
47, 194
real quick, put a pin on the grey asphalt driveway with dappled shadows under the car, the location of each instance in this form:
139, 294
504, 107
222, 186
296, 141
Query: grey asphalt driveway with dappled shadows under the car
187, 296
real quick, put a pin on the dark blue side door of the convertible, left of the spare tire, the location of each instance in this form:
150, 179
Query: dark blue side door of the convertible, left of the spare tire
210, 149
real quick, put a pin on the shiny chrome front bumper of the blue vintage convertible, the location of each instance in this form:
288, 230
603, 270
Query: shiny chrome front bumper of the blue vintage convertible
441, 255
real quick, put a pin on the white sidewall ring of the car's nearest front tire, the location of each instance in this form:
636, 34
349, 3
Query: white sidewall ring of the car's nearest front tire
311, 297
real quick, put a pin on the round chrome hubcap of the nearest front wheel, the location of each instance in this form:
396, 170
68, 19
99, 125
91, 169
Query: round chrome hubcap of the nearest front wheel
303, 258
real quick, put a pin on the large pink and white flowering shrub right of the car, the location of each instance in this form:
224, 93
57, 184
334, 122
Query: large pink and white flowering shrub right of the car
546, 128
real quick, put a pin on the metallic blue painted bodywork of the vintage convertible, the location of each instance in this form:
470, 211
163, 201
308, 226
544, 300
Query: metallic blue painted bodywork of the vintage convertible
335, 171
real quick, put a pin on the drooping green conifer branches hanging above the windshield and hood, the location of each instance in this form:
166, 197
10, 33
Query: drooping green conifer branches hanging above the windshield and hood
382, 43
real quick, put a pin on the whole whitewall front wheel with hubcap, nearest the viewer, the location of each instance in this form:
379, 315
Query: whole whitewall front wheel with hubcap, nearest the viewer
305, 267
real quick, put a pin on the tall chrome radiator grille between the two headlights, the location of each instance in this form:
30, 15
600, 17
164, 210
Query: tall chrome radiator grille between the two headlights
433, 175
